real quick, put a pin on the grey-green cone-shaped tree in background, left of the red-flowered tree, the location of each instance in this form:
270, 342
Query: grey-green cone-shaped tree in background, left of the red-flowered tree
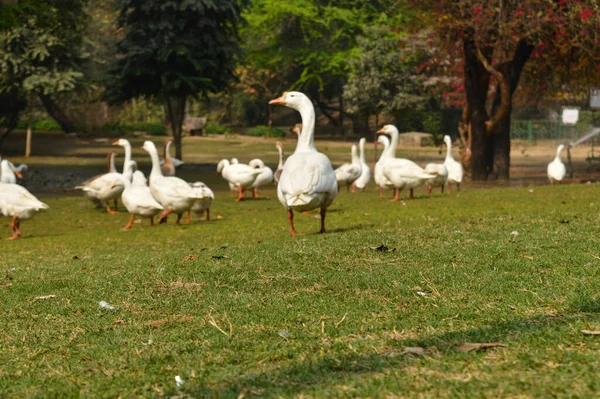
381, 79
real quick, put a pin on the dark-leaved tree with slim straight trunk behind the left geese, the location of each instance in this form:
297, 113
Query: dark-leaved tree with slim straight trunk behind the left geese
174, 49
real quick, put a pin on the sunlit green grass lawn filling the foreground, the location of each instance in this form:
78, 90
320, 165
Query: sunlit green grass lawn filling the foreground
238, 308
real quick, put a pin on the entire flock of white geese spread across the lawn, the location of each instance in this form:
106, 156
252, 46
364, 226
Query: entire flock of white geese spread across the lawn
306, 180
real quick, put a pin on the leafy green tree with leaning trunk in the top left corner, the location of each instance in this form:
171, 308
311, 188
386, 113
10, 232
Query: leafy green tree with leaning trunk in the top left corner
41, 51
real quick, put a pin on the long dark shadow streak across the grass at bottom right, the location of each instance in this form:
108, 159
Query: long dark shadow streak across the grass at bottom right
330, 371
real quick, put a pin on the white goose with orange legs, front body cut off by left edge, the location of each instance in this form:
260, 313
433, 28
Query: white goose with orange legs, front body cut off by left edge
19, 204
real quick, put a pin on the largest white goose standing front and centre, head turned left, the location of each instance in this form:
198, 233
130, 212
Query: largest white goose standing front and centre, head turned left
307, 181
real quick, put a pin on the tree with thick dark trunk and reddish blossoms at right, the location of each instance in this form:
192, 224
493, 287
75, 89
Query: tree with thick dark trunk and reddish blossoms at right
496, 41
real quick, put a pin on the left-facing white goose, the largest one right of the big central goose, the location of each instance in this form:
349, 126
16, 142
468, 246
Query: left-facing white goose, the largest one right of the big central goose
403, 173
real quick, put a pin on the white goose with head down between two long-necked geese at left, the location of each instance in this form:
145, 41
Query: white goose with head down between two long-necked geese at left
138, 199
